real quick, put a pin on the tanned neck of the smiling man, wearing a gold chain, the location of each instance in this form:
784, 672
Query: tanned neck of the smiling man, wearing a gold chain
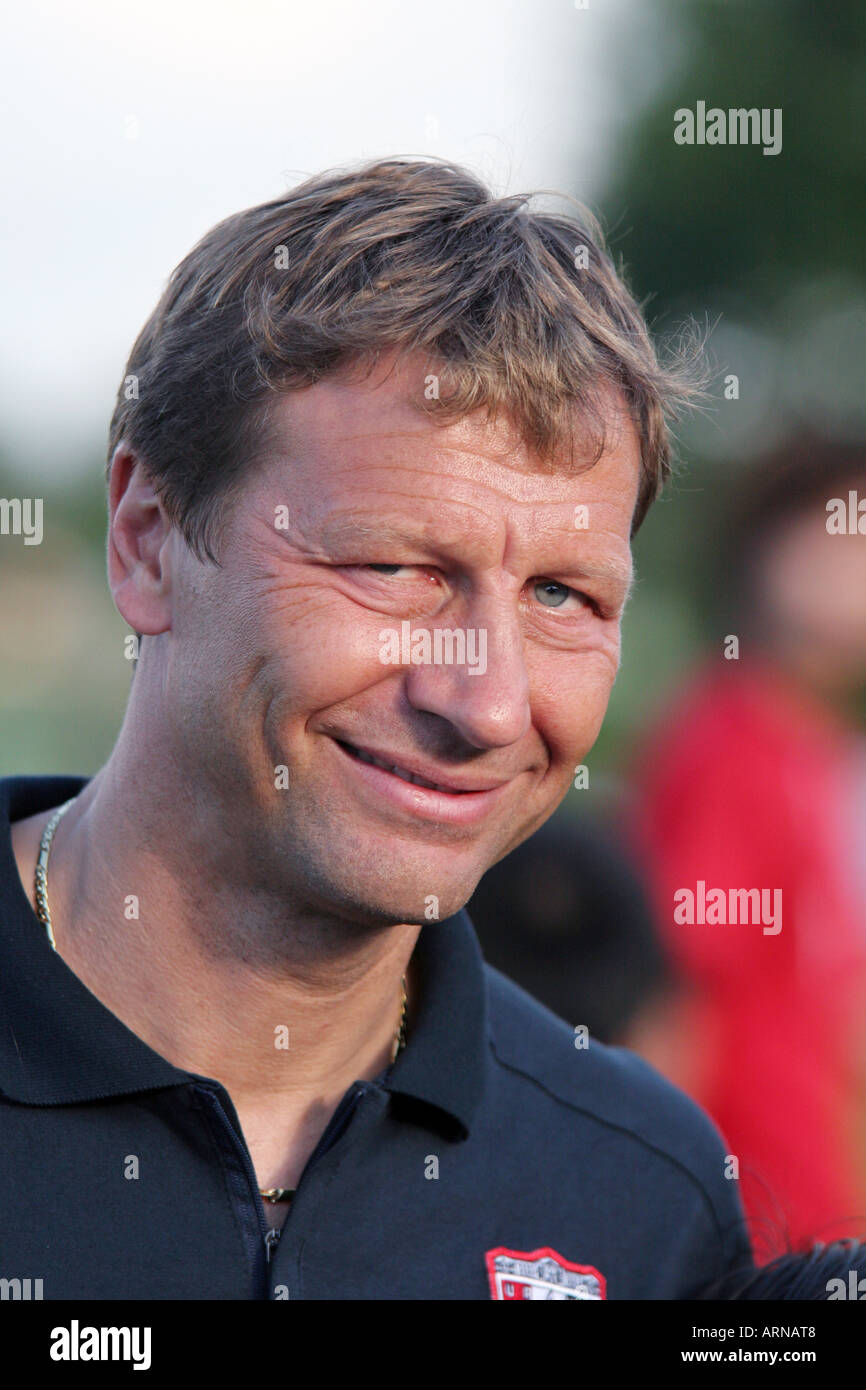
280, 1003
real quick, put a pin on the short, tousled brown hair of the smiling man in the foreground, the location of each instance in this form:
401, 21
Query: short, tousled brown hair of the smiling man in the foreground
525, 311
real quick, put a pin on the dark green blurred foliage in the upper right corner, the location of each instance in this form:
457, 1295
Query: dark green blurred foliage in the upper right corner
726, 229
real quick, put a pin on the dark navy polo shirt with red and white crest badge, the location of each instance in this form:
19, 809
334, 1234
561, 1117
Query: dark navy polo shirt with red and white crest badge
494, 1160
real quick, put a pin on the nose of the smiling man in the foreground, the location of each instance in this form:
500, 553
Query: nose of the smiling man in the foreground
475, 676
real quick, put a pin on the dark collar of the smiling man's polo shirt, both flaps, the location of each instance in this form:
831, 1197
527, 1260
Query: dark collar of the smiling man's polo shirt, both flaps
60, 1045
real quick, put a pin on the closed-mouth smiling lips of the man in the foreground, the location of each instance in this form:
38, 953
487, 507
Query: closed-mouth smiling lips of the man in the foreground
459, 807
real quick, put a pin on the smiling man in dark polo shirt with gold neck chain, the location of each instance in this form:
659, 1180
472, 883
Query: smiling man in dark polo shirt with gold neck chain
373, 473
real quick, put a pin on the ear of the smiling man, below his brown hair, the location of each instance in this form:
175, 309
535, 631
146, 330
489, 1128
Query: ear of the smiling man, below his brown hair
138, 553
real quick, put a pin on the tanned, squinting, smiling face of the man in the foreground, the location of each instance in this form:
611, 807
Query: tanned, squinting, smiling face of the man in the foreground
294, 653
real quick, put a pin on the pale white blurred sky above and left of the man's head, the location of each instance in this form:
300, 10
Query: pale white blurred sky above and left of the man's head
131, 130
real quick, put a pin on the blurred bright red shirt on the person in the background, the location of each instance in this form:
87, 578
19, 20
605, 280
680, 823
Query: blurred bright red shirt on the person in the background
749, 786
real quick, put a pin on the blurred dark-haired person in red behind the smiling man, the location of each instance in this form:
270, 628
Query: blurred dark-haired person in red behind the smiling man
755, 778
